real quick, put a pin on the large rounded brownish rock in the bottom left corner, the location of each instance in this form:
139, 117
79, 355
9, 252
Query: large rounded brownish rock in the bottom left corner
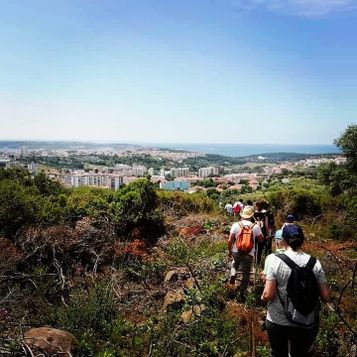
50, 342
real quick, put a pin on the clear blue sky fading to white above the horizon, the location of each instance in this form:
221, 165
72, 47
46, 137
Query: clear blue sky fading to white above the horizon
182, 71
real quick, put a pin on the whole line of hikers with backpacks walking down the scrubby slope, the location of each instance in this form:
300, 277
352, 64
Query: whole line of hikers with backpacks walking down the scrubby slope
294, 281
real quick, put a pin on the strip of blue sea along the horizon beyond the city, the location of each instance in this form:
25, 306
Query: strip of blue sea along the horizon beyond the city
237, 150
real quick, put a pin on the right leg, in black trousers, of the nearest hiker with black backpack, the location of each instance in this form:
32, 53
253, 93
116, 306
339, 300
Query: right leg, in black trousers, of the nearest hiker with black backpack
301, 340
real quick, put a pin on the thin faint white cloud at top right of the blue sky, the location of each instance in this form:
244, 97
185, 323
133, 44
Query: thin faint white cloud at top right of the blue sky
307, 8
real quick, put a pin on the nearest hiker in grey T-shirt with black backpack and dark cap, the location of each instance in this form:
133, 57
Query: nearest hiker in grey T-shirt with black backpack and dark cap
296, 322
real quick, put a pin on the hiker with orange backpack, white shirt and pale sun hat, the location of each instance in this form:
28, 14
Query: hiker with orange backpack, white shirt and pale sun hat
243, 255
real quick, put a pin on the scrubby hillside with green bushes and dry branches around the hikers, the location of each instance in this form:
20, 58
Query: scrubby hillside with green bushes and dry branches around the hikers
144, 273
